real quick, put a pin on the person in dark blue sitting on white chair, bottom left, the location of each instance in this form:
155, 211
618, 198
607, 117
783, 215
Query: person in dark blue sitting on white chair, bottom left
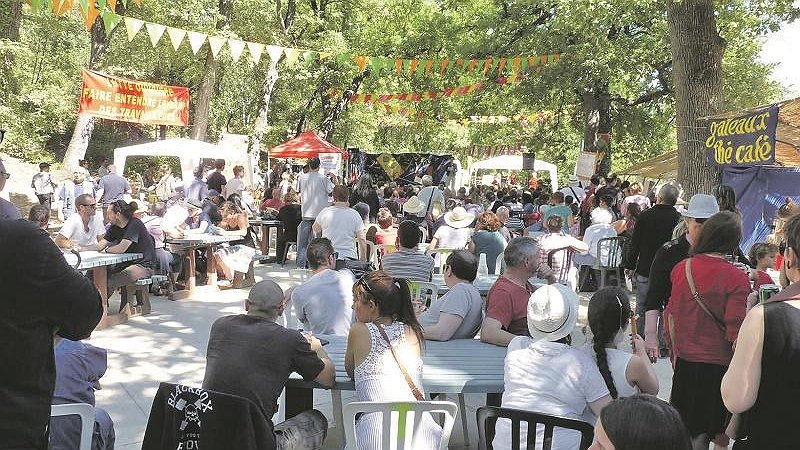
79, 367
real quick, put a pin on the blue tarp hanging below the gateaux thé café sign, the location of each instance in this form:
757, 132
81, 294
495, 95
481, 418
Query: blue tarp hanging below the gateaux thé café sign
760, 191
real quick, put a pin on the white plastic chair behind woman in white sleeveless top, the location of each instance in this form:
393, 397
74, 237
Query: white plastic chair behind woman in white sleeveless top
395, 416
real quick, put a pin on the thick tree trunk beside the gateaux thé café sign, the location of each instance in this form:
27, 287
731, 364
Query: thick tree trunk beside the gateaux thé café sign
697, 50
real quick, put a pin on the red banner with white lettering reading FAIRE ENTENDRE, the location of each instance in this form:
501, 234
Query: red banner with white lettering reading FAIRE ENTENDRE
126, 100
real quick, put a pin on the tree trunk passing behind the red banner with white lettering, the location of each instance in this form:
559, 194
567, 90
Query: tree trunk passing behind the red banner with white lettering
84, 126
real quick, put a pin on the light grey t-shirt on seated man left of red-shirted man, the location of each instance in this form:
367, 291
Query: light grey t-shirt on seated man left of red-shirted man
464, 301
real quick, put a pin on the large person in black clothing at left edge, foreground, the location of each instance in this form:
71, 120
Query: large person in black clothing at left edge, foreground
42, 295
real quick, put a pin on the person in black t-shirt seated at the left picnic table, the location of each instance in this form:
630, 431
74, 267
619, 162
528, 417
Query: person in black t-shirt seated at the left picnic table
127, 234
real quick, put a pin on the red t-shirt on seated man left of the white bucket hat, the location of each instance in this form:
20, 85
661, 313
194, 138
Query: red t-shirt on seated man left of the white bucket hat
507, 302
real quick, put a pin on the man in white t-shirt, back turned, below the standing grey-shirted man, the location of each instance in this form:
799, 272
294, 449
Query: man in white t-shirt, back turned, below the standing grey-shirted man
342, 225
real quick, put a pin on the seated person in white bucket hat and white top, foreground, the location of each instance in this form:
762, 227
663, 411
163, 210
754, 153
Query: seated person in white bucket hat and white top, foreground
544, 374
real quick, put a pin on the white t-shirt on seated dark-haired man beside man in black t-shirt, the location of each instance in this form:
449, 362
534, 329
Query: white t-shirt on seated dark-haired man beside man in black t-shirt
324, 302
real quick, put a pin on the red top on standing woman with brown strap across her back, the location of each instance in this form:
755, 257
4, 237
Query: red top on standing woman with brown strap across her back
723, 287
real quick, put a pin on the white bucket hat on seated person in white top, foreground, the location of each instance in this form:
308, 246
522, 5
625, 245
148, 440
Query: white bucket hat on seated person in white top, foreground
552, 312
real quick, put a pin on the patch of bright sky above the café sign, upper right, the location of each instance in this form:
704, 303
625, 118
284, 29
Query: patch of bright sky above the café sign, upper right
781, 48
